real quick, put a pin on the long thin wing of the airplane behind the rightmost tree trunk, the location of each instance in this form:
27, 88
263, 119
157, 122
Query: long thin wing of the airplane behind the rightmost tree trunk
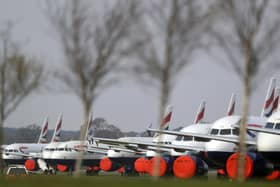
204, 136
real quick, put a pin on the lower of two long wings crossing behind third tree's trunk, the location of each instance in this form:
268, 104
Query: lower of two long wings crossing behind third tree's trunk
144, 146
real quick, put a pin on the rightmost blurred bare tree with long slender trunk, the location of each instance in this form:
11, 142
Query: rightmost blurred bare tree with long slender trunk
247, 34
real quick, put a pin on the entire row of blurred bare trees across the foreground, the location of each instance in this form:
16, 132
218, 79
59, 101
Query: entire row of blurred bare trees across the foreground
153, 39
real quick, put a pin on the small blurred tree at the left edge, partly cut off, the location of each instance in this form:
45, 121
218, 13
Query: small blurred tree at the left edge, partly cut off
19, 76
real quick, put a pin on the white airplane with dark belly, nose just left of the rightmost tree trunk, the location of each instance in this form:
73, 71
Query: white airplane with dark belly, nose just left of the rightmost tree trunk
218, 149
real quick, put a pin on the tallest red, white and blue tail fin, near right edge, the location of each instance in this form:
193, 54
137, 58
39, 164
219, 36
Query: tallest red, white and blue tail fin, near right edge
267, 108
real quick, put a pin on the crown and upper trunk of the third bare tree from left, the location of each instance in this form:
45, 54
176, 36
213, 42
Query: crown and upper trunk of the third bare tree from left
174, 29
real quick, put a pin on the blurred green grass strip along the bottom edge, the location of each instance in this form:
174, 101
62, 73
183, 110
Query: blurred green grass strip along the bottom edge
120, 181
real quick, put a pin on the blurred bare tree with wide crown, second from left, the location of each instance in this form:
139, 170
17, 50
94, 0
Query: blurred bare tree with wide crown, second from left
94, 46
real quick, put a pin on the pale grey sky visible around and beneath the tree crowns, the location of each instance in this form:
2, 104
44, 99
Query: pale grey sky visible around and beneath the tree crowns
128, 105
